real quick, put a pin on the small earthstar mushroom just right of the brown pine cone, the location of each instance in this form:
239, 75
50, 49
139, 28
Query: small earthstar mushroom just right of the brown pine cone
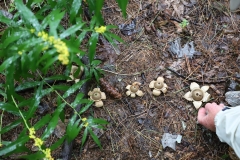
134, 90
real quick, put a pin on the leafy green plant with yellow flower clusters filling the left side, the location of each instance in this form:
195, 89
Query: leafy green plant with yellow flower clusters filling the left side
32, 45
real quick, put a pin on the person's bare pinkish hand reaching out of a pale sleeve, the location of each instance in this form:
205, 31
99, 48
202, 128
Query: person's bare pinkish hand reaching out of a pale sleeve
206, 115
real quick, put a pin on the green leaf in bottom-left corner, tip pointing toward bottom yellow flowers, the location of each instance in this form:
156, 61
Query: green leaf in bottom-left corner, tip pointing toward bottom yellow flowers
14, 145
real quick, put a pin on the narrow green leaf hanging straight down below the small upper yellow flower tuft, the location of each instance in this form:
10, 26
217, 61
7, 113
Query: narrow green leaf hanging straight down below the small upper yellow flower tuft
92, 46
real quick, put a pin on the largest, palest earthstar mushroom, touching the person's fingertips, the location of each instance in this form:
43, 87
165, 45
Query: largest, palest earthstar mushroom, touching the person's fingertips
197, 94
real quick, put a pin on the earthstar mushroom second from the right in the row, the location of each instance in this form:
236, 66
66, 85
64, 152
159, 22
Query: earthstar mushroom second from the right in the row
159, 86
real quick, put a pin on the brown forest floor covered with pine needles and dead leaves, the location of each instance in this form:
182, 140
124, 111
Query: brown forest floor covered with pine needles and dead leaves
136, 125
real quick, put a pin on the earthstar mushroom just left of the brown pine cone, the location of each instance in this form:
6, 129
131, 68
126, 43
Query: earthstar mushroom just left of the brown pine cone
96, 95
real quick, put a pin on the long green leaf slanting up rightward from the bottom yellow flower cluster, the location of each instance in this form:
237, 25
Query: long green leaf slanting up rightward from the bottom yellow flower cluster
53, 122
